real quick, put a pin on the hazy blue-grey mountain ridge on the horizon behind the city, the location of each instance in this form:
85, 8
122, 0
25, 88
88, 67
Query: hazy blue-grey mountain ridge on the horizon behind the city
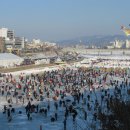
97, 40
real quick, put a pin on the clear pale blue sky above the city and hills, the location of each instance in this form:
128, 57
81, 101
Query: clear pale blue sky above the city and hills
64, 19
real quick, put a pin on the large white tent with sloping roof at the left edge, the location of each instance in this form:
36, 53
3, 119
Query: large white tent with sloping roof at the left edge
9, 60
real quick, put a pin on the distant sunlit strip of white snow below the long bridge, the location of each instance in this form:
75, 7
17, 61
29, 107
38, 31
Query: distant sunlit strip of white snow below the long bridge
106, 61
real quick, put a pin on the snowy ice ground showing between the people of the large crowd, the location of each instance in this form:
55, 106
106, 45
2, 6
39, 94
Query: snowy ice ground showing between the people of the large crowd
21, 122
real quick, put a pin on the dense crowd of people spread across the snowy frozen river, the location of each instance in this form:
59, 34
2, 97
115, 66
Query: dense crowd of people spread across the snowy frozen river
82, 93
